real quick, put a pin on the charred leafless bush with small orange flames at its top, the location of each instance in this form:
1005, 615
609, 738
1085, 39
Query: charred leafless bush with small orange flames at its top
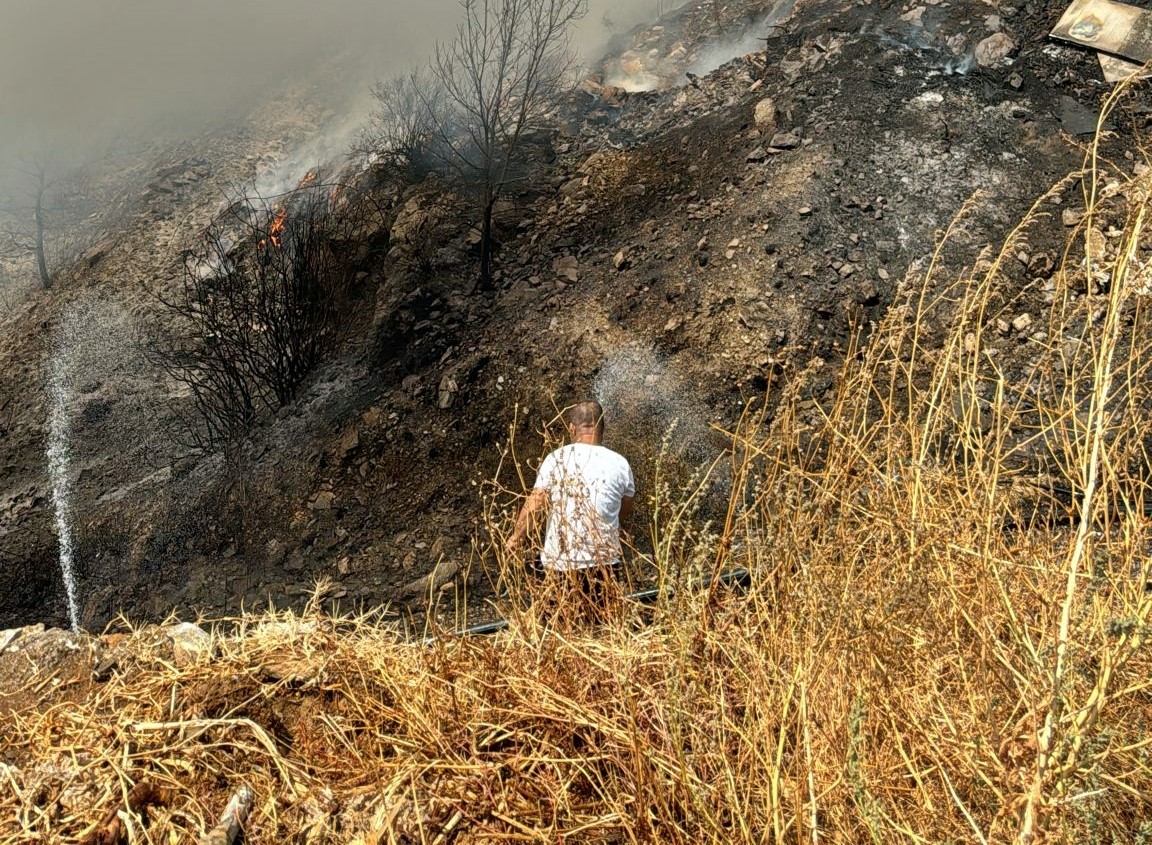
260, 308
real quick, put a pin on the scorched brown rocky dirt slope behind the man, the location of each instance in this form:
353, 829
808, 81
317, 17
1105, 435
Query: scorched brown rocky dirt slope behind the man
686, 250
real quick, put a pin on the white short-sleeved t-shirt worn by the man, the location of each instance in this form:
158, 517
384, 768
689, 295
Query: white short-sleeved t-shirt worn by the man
586, 486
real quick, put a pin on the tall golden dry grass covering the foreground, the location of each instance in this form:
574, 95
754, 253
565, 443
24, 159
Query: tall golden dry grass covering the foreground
937, 646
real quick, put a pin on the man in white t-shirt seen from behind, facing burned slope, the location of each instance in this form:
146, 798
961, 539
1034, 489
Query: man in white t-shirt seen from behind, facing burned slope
587, 490
